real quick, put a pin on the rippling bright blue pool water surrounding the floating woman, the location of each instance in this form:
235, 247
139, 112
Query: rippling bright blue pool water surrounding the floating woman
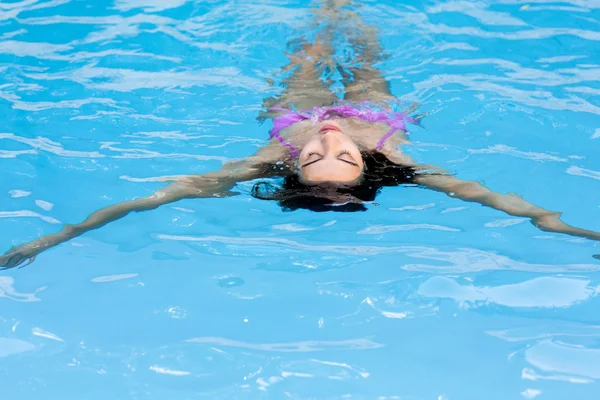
421, 297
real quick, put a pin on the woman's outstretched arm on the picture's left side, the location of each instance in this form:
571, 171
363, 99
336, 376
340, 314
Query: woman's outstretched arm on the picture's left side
213, 184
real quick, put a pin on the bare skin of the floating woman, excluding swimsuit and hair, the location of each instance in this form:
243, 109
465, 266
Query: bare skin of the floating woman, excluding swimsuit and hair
331, 148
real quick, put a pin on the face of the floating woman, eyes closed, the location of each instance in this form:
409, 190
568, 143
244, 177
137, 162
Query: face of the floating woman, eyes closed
330, 156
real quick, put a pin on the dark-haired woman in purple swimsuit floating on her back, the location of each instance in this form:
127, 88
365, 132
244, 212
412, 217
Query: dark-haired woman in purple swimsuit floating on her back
333, 156
